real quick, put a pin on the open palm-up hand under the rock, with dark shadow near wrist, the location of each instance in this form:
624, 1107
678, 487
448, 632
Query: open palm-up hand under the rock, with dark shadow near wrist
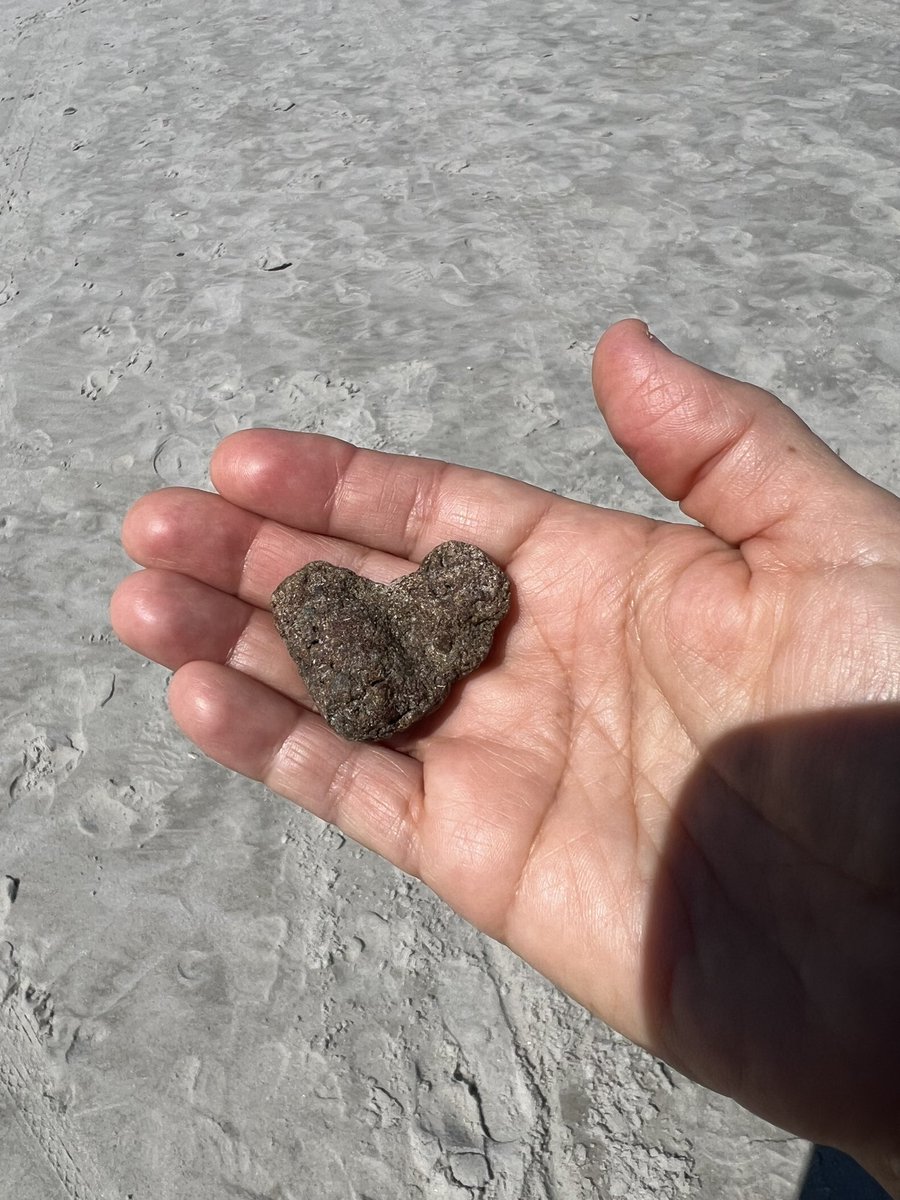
674, 787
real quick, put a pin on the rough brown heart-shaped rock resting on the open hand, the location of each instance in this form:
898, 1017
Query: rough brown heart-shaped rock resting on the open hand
376, 657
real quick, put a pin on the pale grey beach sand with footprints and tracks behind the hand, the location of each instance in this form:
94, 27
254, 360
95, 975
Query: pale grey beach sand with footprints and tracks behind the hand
404, 224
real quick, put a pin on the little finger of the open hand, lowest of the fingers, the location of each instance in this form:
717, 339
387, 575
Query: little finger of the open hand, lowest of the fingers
373, 794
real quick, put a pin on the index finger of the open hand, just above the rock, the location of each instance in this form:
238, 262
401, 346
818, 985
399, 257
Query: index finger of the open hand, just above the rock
394, 503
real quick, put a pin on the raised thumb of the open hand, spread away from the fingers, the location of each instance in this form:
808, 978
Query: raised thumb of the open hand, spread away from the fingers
736, 459
